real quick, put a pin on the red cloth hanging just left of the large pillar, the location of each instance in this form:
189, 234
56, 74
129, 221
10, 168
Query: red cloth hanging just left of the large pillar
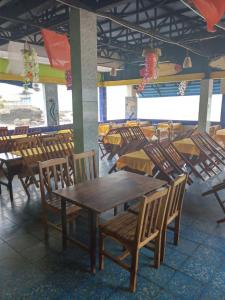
58, 49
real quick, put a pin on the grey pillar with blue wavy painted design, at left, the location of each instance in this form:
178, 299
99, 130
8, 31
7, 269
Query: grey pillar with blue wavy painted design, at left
52, 105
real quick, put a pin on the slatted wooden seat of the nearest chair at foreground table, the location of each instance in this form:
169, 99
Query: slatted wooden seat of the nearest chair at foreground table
122, 227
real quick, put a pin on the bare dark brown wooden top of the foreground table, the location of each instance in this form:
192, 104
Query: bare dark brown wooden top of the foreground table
105, 193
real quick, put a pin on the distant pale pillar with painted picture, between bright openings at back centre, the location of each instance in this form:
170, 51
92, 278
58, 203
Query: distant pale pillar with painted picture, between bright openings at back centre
131, 103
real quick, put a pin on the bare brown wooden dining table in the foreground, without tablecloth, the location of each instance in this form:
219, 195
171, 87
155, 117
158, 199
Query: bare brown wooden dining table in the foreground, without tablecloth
101, 195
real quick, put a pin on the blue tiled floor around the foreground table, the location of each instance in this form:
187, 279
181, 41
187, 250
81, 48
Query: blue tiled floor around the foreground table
29, 269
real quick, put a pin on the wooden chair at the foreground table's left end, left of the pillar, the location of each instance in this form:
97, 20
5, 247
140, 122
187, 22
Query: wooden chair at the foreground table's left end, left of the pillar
54, 174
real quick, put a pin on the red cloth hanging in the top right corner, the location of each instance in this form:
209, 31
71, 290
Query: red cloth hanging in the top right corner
211, 10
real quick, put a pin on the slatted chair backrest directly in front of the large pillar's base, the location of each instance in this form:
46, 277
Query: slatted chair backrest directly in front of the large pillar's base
84, 166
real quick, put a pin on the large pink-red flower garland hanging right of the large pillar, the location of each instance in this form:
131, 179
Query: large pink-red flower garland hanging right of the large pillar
150, 71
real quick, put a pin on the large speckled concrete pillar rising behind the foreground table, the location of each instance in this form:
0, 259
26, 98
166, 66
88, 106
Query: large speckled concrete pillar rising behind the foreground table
83, 40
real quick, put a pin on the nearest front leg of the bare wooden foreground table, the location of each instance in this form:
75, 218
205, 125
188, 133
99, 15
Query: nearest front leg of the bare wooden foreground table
93, 237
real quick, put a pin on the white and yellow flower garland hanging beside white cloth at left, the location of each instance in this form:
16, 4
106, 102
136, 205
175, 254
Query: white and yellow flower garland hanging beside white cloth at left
31, 67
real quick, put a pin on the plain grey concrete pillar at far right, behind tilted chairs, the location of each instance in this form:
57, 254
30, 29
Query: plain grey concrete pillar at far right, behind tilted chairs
205, 104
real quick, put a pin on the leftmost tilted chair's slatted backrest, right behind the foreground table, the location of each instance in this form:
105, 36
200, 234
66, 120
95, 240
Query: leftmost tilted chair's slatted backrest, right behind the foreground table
161, 162
